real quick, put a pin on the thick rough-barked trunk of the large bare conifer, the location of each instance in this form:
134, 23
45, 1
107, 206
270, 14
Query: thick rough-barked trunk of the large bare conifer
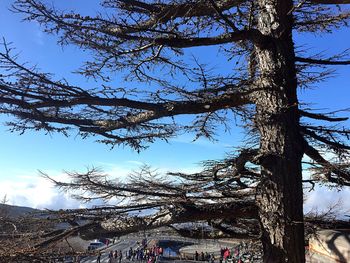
281, 146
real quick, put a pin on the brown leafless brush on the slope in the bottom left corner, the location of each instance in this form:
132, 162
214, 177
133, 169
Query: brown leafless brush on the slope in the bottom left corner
20, 232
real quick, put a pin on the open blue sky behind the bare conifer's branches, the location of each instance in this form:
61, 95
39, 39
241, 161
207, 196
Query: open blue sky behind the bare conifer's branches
22, 155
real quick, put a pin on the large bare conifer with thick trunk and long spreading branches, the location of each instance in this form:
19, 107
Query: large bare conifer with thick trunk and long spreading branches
258, 190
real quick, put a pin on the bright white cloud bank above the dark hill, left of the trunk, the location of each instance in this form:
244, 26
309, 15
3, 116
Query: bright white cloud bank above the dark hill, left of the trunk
28, 188
